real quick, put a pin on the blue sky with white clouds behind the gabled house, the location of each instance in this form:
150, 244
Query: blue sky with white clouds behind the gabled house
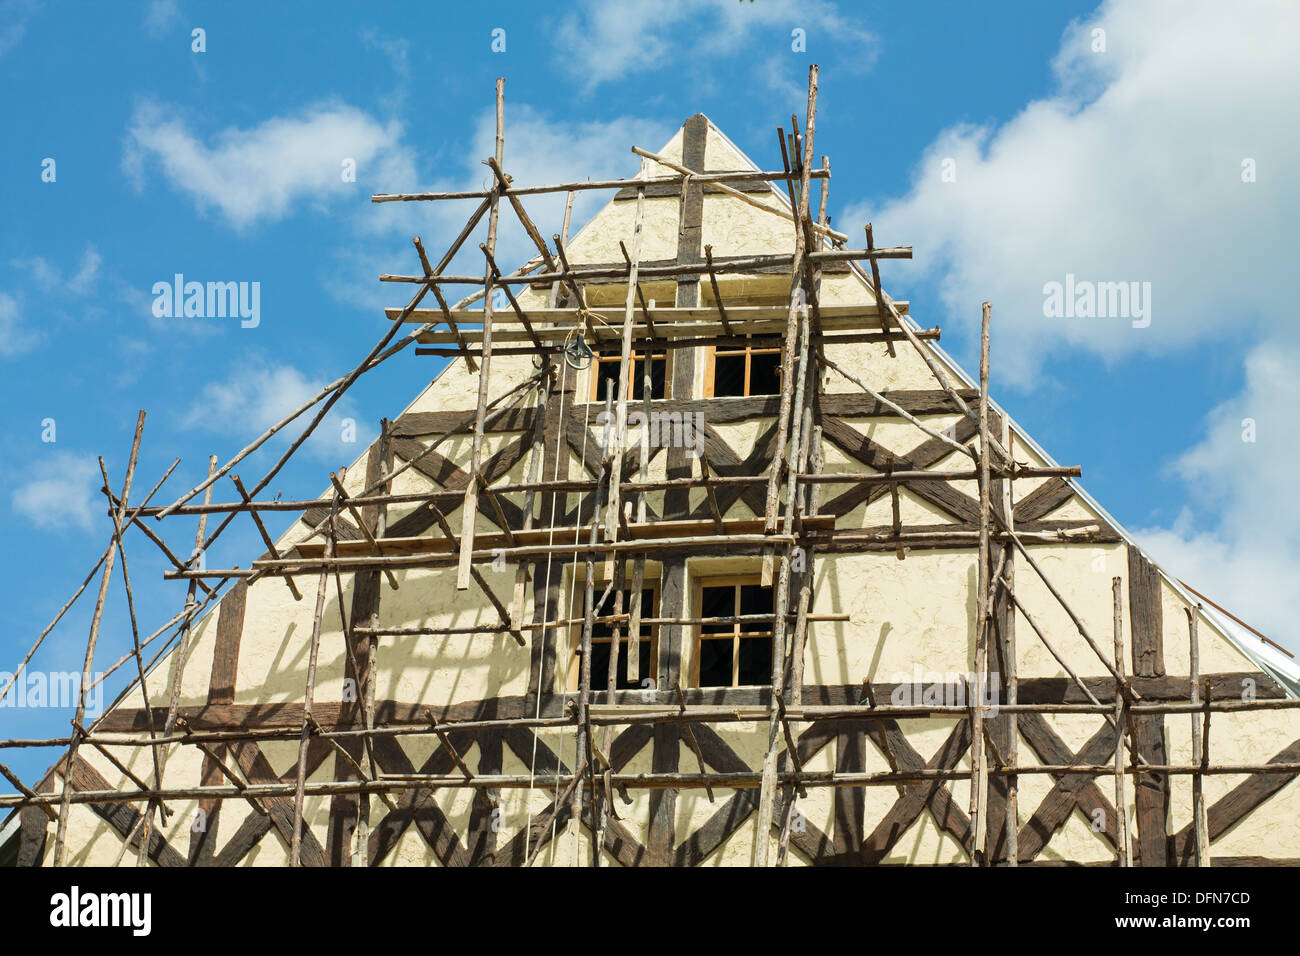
1123, 163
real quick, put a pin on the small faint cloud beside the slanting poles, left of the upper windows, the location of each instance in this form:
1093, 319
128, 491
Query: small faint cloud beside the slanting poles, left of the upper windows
258, 393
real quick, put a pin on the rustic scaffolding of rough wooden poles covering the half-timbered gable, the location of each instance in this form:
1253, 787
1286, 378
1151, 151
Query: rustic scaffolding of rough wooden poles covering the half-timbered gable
610, 527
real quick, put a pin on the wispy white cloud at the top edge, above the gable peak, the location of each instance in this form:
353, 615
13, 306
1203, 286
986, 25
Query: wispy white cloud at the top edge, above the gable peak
600, 42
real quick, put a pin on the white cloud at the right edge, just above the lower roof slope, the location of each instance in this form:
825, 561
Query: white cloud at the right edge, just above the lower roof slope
1240, 543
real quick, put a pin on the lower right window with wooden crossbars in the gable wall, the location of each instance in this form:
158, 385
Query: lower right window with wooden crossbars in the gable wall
739, 654
